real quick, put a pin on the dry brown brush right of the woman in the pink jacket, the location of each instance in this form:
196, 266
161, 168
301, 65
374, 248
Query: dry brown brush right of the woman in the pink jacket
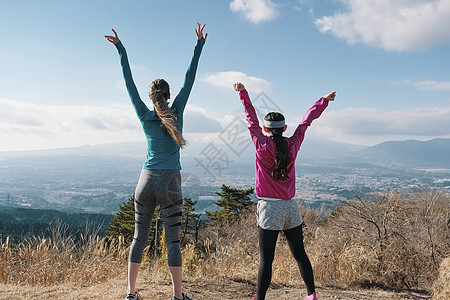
395, 241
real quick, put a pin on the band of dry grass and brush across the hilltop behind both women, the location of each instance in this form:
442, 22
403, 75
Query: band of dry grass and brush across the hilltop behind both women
397, 242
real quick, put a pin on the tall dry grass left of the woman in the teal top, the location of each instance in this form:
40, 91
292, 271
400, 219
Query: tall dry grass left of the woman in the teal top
59, 259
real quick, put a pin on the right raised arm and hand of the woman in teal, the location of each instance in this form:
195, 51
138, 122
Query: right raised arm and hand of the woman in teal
181, 99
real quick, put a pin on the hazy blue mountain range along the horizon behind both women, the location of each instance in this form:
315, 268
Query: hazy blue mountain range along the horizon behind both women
410, 153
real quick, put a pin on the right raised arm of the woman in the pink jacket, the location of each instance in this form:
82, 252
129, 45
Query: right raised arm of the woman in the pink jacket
313, 113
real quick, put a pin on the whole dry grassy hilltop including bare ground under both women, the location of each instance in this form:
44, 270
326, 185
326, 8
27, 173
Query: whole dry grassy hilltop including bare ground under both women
346, 248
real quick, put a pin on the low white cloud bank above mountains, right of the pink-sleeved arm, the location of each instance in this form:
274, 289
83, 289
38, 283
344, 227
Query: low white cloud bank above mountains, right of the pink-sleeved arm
370, 126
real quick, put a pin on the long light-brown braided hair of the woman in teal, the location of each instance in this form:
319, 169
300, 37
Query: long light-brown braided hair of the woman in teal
159, 93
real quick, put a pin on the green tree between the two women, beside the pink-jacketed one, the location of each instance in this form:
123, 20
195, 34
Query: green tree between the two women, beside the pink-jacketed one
233, 201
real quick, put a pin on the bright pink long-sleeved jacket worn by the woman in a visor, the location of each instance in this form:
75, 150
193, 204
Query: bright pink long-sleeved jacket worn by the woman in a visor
266, 186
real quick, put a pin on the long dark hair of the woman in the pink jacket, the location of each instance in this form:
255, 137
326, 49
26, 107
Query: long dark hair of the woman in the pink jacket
280, 171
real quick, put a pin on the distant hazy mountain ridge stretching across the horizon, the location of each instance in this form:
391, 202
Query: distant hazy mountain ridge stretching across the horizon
407, 153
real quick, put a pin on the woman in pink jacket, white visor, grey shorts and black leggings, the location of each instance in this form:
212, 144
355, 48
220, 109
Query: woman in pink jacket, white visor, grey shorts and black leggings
275, 188
